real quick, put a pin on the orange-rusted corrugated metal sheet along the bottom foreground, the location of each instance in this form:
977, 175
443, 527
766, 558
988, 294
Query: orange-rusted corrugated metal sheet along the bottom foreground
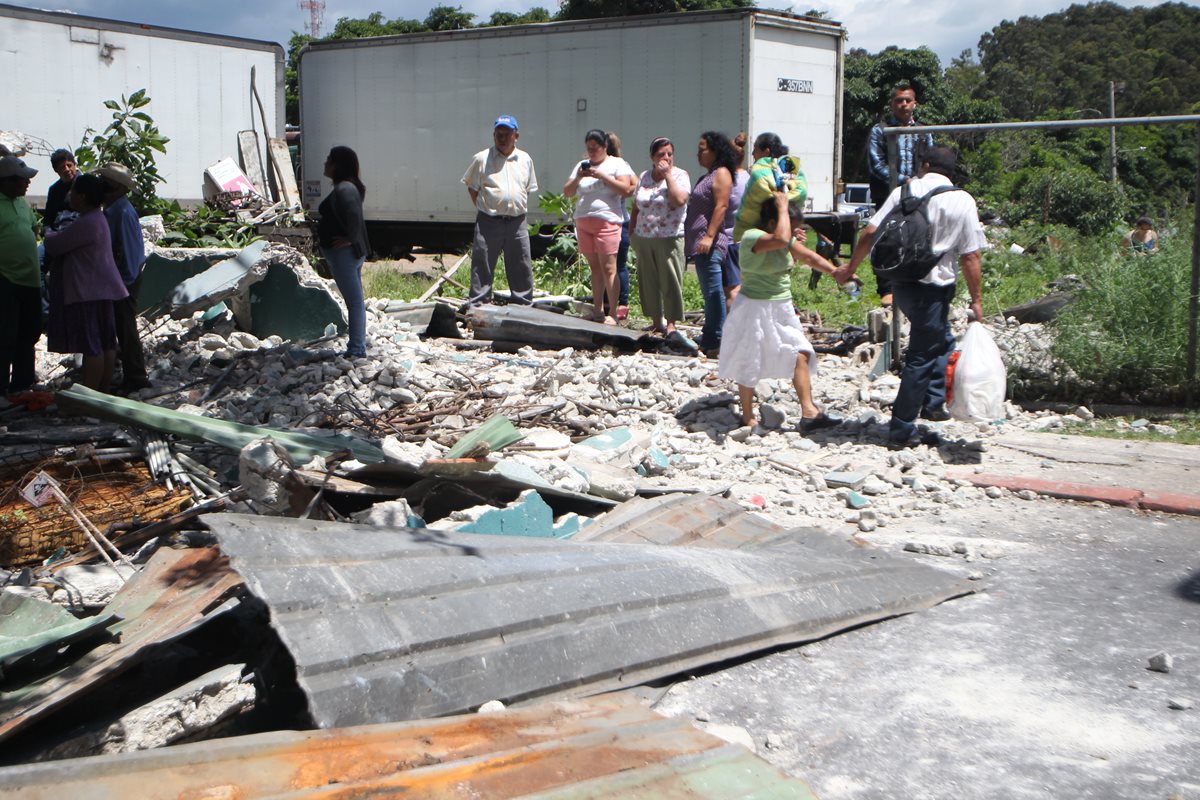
603, 748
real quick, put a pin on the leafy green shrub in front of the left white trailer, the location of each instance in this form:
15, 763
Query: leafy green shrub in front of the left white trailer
131, 140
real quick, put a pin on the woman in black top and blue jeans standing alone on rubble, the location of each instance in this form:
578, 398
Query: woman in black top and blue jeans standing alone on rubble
343, 234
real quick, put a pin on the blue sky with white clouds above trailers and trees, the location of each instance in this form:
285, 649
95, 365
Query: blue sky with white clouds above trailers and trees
949, 27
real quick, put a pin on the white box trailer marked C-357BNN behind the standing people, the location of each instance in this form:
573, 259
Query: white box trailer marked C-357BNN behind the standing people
417, 107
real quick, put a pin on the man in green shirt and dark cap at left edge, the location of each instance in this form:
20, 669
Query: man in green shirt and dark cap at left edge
21, 294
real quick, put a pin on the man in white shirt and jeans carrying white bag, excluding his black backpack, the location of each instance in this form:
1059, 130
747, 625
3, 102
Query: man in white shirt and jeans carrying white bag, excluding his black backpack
958, 237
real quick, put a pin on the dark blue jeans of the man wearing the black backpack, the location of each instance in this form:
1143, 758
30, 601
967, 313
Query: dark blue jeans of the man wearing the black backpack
931, 344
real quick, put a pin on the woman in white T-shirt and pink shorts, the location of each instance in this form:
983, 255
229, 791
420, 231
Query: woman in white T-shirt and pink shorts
602, 183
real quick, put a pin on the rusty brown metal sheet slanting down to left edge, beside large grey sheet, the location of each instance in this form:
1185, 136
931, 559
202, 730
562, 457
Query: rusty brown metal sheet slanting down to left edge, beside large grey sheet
166, 600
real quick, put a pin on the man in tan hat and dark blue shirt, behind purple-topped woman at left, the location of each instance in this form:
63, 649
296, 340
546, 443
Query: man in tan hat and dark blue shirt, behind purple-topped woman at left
129, 251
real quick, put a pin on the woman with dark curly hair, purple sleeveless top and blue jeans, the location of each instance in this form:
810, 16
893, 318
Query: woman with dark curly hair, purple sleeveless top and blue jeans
706, 238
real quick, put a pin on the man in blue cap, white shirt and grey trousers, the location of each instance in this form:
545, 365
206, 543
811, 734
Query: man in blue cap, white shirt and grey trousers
500, 182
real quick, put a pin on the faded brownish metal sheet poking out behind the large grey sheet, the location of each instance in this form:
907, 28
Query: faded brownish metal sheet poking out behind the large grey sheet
701, 521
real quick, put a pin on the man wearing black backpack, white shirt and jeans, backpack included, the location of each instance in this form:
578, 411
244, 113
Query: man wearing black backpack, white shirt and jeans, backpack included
928, 233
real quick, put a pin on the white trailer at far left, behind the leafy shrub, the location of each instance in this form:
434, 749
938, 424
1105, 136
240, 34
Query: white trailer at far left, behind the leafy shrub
59, 70
